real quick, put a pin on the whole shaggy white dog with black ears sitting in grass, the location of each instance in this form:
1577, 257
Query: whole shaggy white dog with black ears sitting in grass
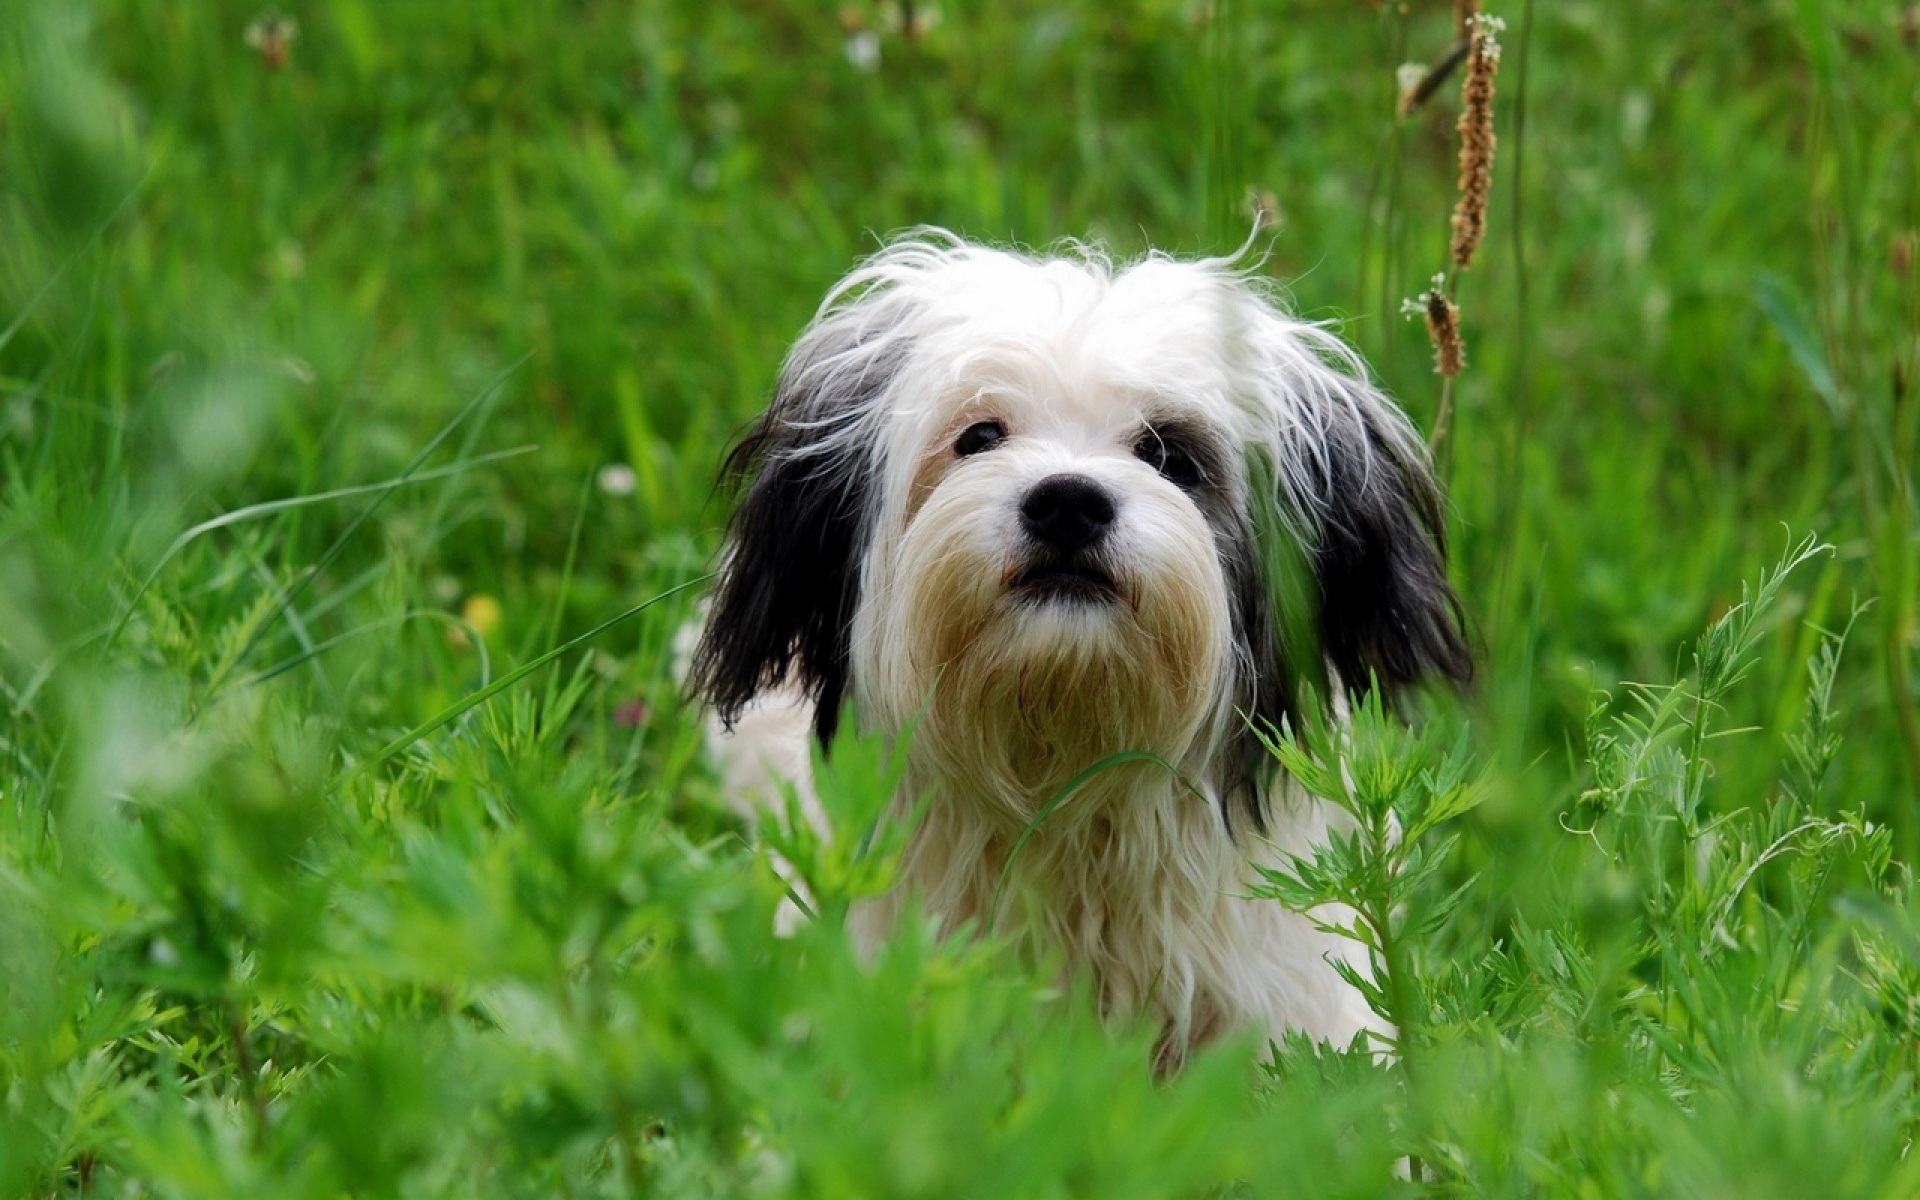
1047, 510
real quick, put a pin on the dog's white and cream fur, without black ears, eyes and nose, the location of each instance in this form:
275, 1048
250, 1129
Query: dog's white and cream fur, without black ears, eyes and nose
1138, 878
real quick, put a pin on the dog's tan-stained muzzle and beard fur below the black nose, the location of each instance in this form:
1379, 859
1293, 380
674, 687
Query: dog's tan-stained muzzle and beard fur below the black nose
1019, 690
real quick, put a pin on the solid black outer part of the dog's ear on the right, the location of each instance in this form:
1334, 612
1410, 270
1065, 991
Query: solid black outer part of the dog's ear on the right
1387, 612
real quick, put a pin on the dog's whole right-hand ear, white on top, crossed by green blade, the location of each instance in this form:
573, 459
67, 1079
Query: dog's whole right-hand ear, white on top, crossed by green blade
1341, 564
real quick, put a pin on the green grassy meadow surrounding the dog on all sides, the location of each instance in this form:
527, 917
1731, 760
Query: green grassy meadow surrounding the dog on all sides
348, 373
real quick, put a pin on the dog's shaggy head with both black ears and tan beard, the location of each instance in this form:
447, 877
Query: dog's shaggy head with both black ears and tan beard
1063, 510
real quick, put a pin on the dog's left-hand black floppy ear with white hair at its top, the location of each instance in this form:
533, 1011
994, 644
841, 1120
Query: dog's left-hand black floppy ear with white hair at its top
792, 573
